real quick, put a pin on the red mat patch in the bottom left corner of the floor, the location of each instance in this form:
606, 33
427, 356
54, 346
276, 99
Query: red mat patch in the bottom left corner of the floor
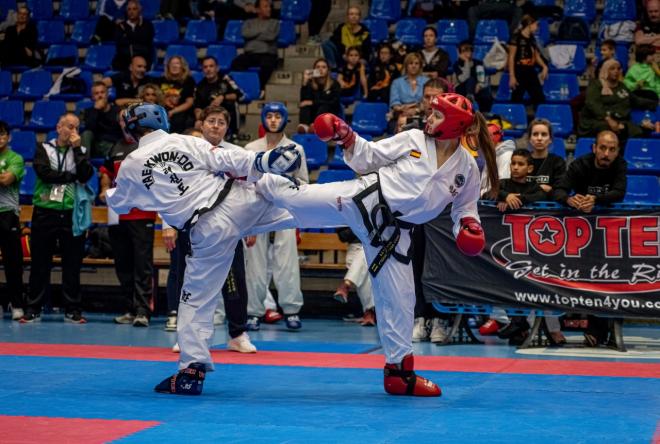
67, 430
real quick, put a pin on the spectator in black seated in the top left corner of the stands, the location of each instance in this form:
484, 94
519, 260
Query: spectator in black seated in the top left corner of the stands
20, 44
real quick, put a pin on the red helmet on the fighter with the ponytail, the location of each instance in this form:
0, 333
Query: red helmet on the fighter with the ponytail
457, 116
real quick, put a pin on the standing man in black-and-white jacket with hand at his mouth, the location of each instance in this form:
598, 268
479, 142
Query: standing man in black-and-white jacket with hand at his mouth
60, 163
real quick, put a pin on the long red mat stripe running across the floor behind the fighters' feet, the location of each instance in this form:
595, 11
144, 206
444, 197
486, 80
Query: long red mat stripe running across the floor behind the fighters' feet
343, 360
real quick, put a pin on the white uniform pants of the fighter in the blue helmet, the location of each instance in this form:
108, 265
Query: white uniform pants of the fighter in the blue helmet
213, 240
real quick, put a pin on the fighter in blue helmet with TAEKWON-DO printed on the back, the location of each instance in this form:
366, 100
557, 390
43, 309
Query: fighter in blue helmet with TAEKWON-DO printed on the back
189, 182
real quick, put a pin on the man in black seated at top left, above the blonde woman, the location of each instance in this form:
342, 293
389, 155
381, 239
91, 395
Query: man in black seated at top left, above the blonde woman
133, 36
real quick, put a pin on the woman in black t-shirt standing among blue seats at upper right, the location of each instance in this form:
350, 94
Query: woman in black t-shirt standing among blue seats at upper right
524, 56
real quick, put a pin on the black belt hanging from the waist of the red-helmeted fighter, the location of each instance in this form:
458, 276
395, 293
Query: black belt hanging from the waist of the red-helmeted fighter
376, 228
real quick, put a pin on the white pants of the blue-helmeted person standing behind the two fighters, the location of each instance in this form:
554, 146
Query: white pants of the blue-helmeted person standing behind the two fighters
286, 273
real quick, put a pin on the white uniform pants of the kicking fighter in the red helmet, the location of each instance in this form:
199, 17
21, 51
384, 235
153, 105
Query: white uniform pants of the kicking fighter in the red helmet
331, 205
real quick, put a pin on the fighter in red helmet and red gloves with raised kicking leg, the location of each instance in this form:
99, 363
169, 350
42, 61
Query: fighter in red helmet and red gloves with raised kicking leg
406, 179
